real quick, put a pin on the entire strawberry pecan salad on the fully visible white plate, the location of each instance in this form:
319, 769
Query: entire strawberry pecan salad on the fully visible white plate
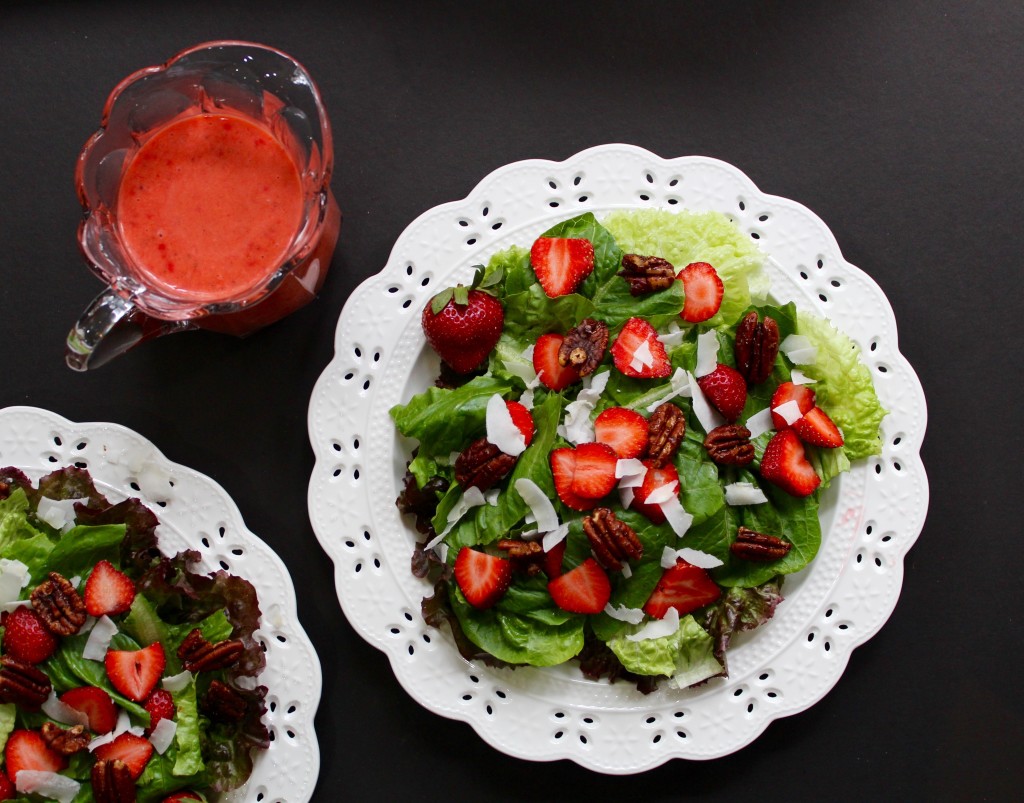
625, 450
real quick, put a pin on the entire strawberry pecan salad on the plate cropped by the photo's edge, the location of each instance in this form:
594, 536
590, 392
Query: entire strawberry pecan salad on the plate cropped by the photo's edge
124, 675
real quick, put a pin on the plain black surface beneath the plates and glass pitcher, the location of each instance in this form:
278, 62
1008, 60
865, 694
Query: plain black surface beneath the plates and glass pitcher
899, 123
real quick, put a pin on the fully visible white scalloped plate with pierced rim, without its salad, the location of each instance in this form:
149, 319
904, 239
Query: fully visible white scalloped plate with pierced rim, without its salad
870, 519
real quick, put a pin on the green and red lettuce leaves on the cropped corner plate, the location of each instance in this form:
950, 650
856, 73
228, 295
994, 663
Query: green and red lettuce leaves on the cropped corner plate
206, 755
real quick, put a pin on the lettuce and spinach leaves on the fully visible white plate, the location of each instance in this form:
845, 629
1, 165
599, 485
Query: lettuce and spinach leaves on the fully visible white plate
526, 626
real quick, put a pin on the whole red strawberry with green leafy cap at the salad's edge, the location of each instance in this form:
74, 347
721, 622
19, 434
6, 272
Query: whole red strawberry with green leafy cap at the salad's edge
463, 324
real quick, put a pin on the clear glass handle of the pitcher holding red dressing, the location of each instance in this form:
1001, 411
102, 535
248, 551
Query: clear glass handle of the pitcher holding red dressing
109, 327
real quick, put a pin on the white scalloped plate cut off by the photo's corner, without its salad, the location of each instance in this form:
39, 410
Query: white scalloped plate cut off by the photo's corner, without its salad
197, 514
